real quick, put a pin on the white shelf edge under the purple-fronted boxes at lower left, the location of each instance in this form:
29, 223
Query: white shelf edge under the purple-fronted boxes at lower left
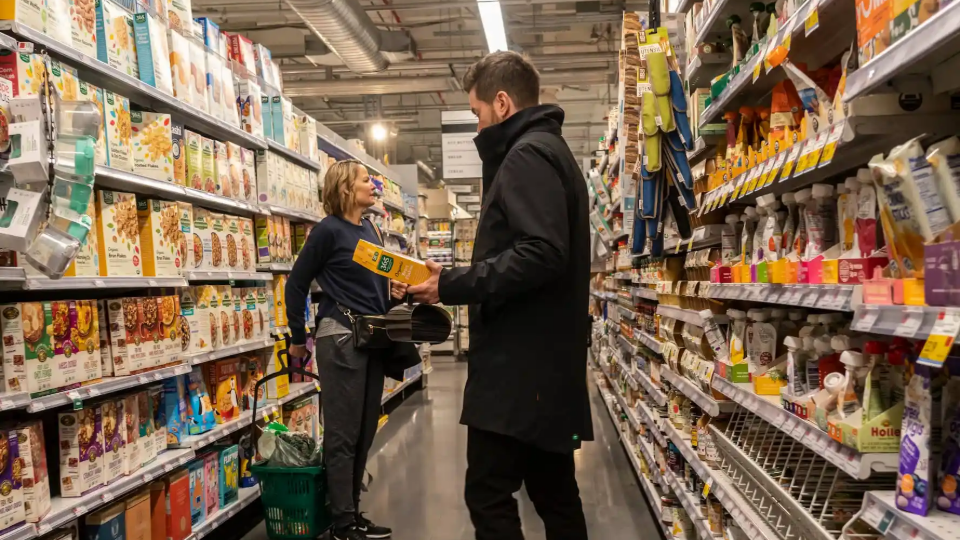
65, 509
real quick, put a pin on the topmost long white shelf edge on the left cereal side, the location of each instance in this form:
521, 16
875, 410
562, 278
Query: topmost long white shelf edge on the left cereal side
100, 74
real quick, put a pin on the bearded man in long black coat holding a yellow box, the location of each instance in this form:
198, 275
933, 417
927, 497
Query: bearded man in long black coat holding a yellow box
525, 402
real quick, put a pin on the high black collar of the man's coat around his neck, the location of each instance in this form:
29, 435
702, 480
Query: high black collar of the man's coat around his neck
495, 141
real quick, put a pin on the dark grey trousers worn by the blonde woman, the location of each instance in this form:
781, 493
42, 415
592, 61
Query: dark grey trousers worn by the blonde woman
351, 383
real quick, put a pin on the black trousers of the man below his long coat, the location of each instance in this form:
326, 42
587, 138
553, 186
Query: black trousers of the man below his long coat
497, 465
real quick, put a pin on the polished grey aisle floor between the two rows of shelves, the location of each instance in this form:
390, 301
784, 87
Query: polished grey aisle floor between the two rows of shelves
419, 458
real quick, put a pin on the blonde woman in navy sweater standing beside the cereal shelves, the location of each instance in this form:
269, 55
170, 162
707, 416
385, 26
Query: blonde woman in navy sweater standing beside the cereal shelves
352, 379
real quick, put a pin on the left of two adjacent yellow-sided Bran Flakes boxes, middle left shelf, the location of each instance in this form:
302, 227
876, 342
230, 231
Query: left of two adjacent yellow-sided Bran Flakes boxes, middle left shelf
118, 234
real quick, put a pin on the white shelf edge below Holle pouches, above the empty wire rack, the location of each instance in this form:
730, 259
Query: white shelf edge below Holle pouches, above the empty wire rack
768, 408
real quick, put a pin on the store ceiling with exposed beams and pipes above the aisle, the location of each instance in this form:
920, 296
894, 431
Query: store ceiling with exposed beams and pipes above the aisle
426, 46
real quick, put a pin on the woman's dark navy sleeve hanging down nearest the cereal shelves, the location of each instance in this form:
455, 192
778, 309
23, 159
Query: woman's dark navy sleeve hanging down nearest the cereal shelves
312, 257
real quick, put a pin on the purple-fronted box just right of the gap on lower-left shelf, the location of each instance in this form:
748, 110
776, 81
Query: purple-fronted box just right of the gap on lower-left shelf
81, 450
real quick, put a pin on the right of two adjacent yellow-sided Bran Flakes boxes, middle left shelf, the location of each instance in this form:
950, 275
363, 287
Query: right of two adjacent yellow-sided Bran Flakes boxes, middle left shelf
160, 237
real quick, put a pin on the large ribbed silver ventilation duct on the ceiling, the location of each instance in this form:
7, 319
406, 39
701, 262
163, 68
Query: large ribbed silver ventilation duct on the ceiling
348, 32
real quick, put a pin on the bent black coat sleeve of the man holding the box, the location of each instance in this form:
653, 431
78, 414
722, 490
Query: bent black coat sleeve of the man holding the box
535, 203
